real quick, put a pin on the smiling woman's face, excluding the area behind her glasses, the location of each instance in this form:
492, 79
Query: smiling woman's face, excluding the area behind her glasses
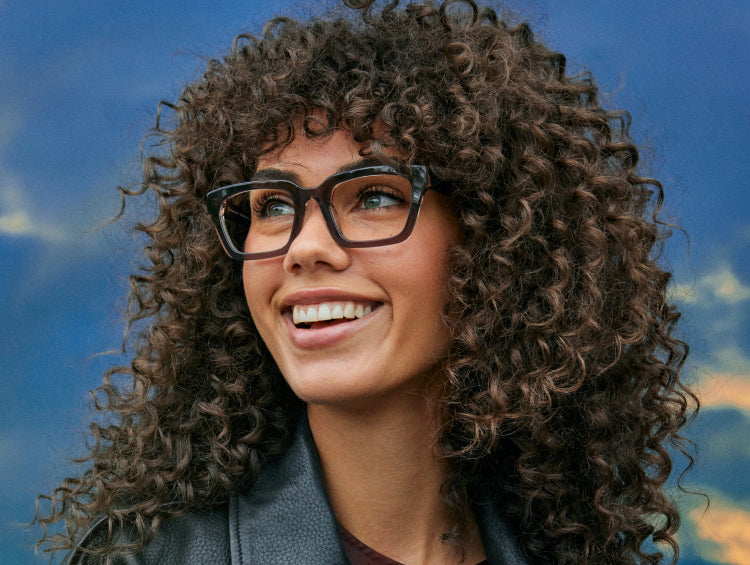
392, 349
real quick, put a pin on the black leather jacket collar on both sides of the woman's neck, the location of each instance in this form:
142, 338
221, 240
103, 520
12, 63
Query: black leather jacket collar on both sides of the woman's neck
286, 518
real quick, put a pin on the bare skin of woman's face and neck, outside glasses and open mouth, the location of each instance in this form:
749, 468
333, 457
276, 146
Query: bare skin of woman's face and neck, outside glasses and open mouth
369, 384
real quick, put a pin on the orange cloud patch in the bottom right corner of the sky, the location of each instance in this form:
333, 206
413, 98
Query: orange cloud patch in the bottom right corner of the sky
727, 529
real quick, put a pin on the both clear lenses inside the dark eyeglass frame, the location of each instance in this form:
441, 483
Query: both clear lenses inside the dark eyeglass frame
366, 208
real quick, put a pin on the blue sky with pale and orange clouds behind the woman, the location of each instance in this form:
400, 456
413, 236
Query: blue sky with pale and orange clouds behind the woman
79, 86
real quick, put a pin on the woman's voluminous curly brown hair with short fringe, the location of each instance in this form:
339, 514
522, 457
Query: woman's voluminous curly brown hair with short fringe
562, 389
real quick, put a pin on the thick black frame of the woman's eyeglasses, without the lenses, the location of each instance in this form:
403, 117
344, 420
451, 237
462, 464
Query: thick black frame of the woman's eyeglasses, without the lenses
217, 198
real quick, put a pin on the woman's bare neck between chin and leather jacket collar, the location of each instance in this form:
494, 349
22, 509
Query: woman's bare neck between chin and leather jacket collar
383, 478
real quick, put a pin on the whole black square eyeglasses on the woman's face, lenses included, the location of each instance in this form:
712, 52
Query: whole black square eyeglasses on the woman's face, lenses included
365, 207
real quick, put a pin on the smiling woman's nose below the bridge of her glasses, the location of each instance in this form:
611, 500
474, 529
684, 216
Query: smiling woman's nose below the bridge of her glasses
314, 247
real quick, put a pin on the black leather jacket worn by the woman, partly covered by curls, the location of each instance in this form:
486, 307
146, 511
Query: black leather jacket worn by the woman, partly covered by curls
285, 519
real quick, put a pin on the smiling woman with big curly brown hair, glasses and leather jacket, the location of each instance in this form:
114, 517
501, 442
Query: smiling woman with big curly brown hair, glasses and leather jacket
436, 331
